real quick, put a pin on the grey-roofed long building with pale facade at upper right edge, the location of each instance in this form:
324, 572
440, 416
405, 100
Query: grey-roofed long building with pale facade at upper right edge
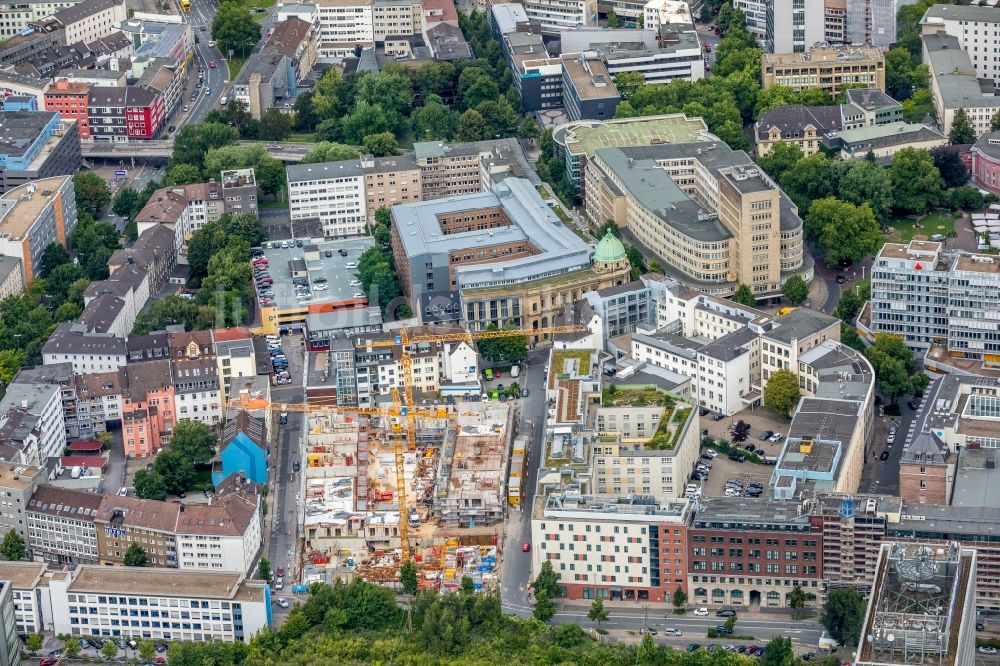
956, 85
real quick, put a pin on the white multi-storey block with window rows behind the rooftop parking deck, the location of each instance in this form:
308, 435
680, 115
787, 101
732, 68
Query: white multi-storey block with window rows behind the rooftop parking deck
333, 192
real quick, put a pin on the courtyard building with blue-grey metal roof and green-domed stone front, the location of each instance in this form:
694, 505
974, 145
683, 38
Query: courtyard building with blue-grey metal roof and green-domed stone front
503, 252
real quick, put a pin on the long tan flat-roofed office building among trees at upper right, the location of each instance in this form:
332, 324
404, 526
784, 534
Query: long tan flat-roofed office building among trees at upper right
828, 68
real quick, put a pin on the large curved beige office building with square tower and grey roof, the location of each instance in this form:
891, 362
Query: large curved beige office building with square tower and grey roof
700, 209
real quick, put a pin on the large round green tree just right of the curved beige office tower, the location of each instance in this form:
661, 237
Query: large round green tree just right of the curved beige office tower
843, 232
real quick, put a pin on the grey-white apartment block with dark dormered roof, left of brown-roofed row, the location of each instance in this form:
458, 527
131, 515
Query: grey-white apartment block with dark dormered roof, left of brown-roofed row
61, 527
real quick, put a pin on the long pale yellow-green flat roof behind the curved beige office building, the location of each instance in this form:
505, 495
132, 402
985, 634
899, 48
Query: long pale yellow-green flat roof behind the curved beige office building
585, 137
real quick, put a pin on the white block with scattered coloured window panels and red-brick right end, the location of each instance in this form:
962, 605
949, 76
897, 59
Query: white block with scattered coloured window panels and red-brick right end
611, 547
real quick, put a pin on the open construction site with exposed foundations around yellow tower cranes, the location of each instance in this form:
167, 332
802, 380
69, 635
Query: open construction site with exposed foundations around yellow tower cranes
364, 515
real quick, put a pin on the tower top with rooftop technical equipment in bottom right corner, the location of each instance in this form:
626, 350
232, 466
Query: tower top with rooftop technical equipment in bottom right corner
922, 607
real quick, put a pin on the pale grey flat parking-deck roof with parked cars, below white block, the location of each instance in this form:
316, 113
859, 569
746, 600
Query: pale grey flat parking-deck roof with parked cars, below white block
334, 269
